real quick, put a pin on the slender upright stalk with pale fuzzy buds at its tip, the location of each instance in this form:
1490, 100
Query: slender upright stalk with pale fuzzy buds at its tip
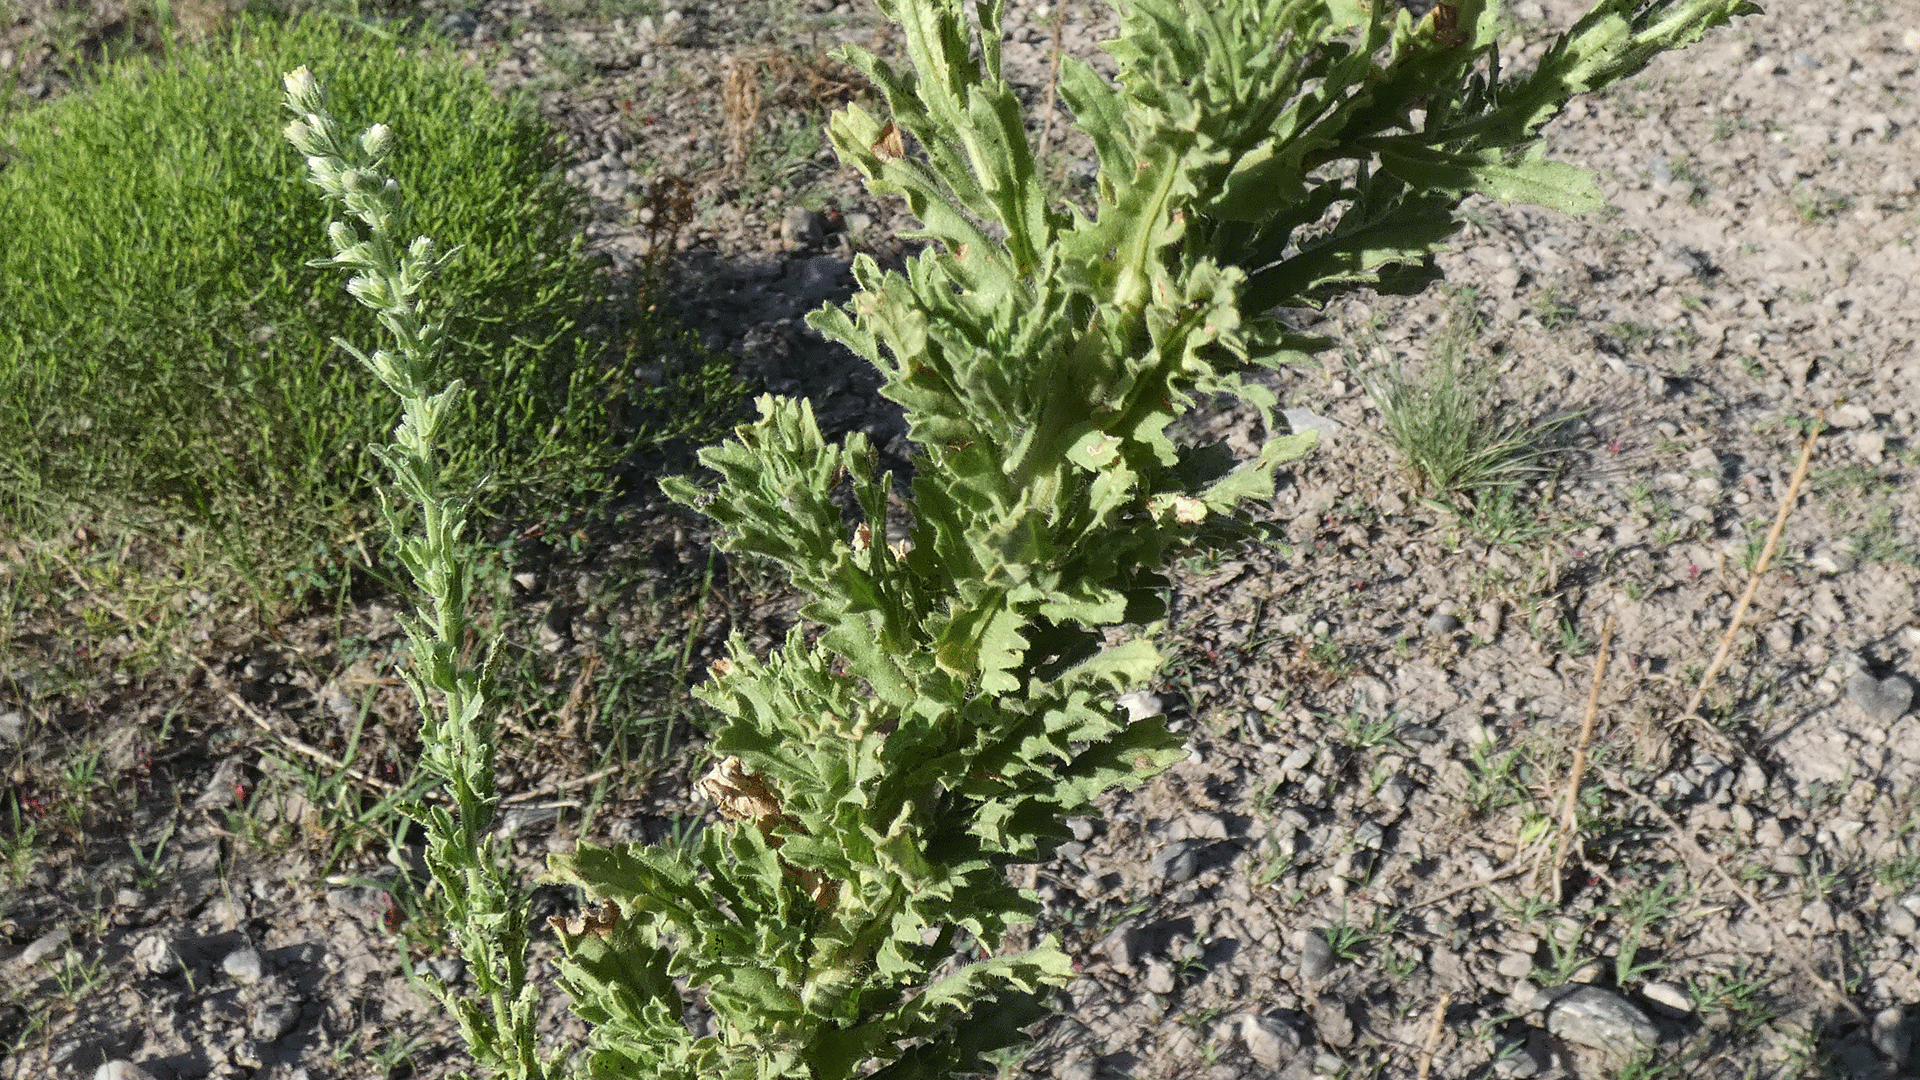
483, 902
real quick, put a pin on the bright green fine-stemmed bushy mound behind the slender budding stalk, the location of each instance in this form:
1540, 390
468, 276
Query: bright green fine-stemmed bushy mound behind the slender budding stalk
168, 356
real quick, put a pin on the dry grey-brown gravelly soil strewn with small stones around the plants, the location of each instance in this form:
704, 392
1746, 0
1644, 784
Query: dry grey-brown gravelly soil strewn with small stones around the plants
1383, 702
